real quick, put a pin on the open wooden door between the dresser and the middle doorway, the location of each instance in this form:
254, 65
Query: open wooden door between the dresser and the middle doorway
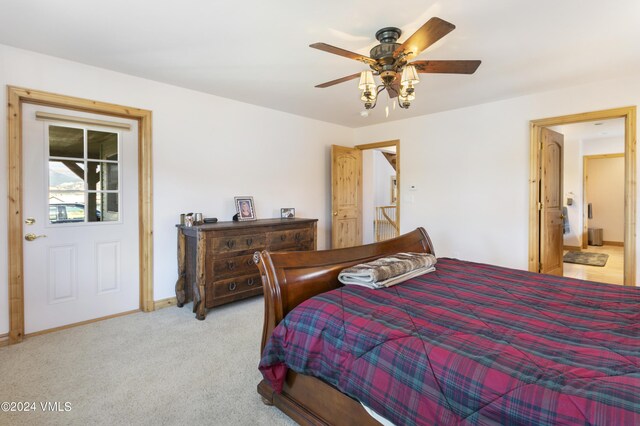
346, 196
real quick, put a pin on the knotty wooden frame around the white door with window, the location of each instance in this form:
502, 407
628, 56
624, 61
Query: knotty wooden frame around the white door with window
16, 97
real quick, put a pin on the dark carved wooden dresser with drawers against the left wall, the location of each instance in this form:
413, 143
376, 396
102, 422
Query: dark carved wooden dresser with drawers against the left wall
215, 261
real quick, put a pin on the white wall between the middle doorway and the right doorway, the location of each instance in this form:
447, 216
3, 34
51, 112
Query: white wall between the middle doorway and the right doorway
471, 168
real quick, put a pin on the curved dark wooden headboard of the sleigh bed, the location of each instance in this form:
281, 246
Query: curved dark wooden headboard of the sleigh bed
289, 278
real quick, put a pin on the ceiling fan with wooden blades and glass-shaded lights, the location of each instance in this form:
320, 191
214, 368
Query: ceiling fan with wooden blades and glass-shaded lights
390, 61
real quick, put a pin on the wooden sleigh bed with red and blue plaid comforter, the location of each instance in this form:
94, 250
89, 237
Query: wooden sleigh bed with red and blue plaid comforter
467, 344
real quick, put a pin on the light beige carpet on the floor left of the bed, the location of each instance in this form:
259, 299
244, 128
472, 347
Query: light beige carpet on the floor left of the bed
160, 368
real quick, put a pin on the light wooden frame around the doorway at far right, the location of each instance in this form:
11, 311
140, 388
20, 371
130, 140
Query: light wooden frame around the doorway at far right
629, 114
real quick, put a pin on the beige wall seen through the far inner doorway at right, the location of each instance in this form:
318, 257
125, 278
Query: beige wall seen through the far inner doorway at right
605, 192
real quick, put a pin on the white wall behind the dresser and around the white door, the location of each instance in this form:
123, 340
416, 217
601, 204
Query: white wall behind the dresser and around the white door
206, 149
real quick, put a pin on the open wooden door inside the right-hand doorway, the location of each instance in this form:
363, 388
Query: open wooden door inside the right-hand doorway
551, 235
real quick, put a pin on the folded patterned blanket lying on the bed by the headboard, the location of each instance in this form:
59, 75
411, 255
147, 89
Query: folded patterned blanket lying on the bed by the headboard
388, 271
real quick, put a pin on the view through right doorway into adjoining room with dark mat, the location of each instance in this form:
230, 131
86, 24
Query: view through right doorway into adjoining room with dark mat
593, 200
